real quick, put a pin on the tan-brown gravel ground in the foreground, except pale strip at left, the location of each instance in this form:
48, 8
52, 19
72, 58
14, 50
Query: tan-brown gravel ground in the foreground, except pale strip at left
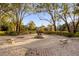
49, 46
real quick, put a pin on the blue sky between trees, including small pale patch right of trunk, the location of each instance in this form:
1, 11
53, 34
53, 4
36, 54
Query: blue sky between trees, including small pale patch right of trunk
37, 21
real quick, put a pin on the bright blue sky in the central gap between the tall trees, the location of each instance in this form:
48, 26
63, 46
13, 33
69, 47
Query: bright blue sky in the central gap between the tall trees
36, 20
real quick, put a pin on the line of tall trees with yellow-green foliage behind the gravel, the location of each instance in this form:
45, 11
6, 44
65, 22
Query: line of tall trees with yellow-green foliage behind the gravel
12, 15
